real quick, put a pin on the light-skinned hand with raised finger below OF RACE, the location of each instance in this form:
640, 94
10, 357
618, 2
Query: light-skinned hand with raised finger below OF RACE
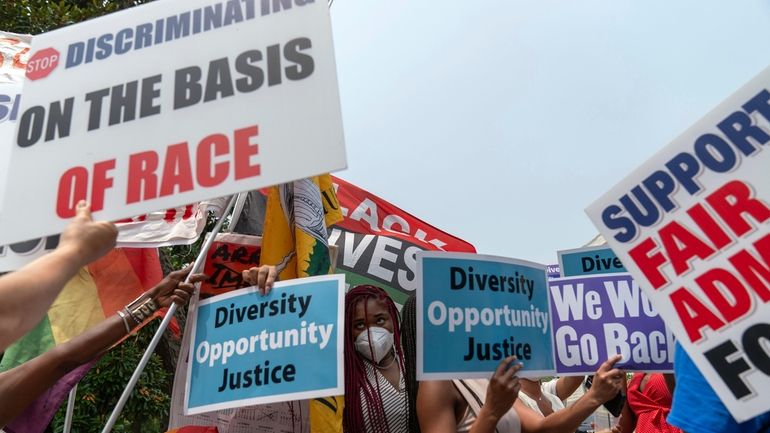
87, 239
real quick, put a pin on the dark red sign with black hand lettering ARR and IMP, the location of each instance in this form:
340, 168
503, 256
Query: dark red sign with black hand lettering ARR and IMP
230, 254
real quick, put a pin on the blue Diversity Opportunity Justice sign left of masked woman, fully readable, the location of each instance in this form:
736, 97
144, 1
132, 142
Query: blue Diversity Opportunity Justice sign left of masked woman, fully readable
251, 349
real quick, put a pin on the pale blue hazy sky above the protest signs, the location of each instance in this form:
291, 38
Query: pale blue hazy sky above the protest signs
500, 121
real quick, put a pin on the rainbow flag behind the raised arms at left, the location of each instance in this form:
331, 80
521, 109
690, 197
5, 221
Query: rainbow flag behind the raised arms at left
96, 292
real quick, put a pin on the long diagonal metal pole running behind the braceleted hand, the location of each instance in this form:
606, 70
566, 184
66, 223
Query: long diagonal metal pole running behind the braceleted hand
164, 324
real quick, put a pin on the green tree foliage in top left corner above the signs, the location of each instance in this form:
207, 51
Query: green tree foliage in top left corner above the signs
38, 16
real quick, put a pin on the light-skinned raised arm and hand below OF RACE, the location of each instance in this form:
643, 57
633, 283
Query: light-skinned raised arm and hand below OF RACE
28, 293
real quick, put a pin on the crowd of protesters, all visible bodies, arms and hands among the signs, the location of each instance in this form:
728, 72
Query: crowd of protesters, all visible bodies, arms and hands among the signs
382, 394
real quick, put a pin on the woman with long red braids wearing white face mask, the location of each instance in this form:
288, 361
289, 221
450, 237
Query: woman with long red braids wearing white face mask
375, 390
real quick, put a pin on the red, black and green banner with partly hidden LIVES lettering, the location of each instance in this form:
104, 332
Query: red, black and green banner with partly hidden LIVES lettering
378, 242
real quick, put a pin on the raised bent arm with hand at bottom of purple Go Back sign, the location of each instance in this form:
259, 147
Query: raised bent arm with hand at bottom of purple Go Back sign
607, 383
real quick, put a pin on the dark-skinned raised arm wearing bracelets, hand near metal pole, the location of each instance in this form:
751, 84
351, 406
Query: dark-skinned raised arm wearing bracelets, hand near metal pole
23, 384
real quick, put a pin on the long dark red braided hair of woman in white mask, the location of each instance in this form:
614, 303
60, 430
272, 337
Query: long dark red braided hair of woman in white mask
357, 385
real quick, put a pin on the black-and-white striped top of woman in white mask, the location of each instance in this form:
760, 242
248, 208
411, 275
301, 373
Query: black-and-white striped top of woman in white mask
394, 401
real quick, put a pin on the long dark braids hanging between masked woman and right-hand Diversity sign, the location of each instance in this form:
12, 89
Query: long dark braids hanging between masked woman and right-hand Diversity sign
409, 342
